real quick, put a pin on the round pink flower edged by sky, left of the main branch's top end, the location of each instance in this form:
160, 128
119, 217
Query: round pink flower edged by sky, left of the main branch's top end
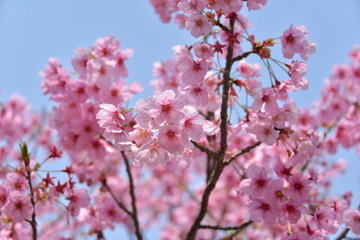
198, 25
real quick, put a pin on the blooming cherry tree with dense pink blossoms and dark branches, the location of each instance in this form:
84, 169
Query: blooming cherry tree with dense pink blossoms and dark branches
220, 150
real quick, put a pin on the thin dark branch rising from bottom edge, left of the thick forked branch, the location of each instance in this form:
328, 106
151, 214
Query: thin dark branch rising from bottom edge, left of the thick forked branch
133, 198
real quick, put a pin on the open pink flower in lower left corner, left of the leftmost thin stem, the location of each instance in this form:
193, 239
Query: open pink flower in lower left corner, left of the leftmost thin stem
18, 206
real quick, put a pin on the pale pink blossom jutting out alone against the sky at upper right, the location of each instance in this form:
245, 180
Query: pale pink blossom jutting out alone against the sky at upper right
293, 41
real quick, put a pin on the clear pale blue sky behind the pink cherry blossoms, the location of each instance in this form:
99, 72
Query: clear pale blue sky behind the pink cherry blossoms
33, 31
